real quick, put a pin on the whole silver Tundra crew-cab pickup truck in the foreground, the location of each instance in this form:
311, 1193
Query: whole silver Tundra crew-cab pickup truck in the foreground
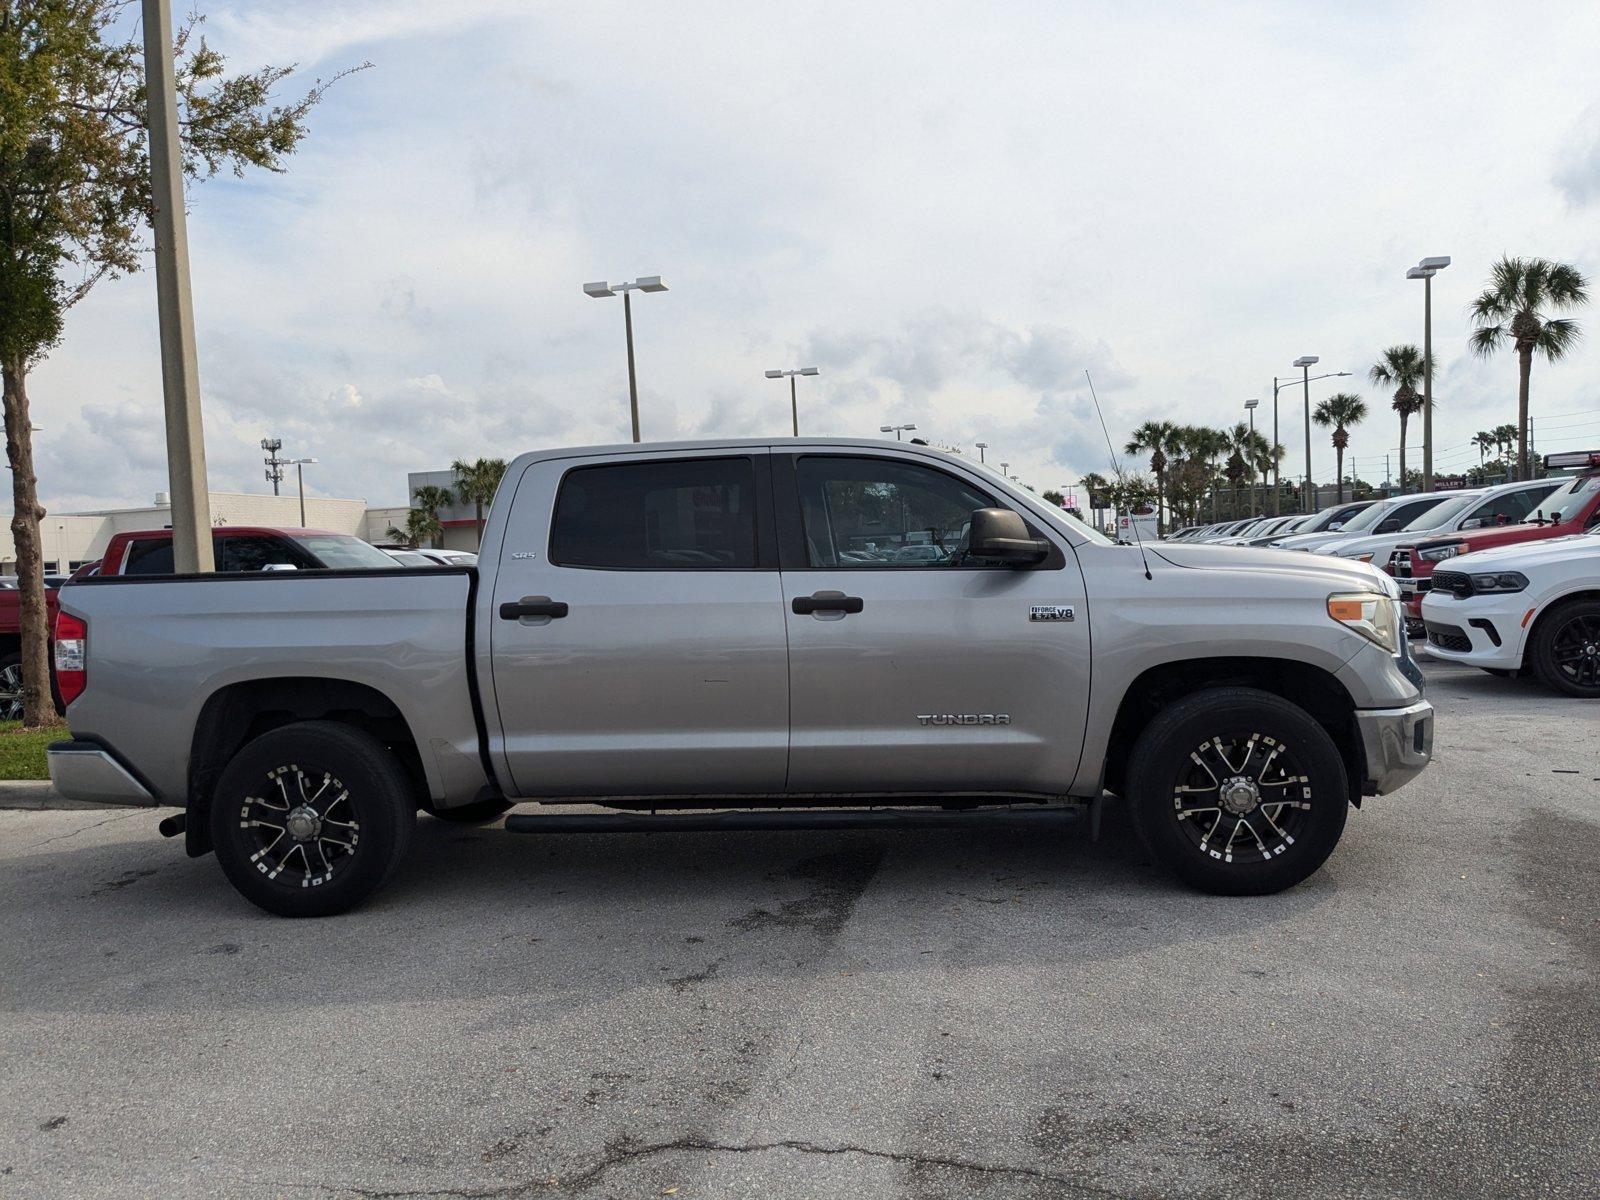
718, 634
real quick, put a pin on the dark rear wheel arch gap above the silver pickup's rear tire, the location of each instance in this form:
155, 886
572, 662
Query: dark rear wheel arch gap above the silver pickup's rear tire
239, 713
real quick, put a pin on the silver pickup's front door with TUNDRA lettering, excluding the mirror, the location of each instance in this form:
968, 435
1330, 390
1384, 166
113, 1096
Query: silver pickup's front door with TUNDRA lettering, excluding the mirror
911, 665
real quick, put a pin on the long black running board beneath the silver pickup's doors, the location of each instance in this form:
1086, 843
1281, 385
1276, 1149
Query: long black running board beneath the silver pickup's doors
793, 818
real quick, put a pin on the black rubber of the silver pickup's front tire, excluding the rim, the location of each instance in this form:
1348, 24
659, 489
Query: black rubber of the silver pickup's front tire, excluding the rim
1162, 751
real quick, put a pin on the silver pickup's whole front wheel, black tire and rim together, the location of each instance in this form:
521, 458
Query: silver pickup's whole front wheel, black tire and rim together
1270, 847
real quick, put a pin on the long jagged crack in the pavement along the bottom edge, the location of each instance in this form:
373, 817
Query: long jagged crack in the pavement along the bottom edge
626, 1153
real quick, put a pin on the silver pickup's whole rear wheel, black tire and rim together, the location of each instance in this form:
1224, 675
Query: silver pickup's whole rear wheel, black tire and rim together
359, 836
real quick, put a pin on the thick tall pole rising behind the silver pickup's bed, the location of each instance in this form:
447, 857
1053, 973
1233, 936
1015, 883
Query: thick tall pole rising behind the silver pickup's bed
175, 306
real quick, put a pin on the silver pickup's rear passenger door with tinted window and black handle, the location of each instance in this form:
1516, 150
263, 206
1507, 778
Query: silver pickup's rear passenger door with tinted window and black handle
638, 628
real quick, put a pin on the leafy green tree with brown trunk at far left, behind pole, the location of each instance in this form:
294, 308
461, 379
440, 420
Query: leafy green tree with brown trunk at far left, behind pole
76, 198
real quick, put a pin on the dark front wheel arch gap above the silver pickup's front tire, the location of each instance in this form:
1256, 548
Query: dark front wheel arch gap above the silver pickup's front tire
1303, 684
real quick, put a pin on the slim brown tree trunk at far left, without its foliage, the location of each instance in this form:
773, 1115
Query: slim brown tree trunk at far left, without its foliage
38, 705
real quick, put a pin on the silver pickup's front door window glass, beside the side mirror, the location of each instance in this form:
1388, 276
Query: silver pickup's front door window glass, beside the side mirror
884, 513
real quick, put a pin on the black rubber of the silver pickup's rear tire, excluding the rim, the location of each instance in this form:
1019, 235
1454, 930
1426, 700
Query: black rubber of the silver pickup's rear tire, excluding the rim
380, 794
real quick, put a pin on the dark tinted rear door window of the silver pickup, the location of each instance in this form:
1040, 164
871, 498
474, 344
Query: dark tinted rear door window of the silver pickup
674, 516
